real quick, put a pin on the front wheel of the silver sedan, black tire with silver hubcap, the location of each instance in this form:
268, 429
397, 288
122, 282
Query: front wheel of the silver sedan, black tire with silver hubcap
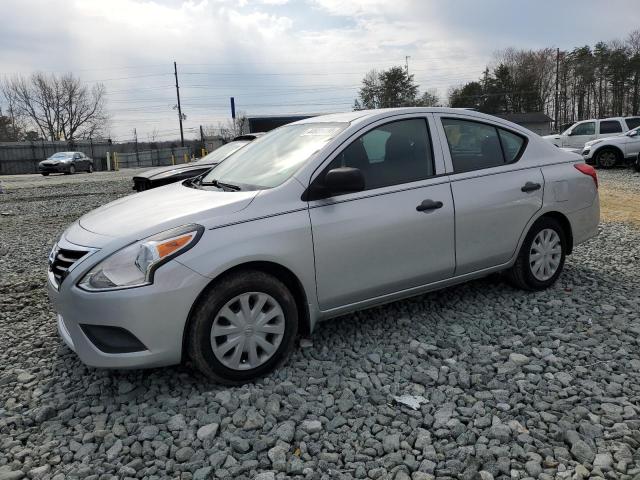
208, 323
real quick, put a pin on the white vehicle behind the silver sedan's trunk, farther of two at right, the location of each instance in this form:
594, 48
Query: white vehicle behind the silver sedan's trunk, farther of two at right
579, 133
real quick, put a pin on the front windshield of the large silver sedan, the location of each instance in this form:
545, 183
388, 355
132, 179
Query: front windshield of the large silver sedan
270, 160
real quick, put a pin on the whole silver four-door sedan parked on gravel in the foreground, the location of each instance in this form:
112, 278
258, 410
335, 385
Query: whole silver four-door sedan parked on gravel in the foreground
315, 219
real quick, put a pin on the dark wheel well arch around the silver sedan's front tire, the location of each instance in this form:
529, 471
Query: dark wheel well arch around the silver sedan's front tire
283, 274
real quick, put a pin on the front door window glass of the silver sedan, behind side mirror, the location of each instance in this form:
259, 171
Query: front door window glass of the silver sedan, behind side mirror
391, 154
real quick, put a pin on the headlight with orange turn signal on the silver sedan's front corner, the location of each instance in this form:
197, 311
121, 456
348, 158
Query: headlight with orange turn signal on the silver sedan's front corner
134, 265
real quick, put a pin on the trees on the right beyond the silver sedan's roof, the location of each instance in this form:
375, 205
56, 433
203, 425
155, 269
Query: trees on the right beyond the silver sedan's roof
599, 81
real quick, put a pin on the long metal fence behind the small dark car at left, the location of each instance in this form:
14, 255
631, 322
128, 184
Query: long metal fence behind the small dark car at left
23, 157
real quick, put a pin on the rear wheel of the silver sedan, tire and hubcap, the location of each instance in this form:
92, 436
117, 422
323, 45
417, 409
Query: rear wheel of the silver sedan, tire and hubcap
523, 274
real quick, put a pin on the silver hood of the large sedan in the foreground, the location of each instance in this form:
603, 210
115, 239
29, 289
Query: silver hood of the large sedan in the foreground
159, 209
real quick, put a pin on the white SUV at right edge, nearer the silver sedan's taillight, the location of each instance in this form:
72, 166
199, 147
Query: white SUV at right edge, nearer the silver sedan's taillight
610, 151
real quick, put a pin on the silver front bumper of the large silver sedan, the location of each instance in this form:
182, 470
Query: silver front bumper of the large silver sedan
155, 315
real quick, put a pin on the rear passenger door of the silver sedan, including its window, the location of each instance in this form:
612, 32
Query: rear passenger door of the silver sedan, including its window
495, 196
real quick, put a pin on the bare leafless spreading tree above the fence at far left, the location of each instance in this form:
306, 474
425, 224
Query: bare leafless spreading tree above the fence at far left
59, 107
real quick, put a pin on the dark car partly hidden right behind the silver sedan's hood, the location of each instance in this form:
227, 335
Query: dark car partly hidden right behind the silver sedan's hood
174, 173
